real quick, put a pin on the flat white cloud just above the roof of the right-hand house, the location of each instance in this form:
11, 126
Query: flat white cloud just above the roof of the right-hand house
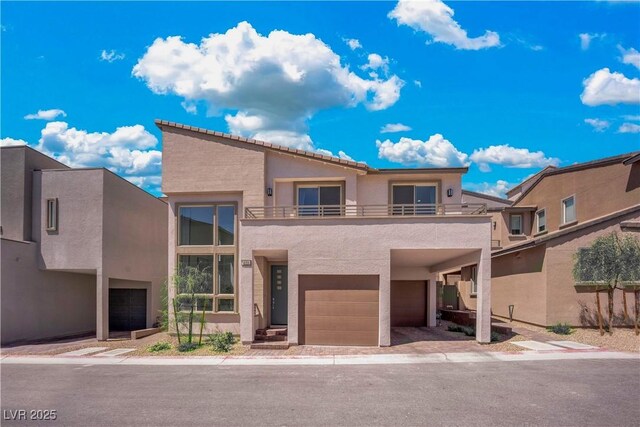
510, 157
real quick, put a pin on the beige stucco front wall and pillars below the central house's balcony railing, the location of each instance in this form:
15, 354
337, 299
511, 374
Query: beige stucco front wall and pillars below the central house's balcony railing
343, 247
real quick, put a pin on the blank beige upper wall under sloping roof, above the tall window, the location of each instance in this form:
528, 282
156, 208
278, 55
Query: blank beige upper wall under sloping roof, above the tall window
205, 164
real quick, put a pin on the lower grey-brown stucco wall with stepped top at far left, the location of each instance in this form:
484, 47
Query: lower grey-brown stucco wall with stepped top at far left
42, 304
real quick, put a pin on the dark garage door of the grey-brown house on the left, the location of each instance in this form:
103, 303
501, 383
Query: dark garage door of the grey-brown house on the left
127, 309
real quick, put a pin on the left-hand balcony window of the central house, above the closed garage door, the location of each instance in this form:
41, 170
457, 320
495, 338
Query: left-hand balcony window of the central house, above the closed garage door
319, 200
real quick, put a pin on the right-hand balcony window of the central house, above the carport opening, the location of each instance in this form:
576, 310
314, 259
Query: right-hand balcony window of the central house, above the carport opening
414, 199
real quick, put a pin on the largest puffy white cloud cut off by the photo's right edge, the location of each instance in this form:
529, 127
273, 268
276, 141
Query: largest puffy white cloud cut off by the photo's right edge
605, 87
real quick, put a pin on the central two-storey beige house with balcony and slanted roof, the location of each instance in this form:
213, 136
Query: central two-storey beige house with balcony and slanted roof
334, 250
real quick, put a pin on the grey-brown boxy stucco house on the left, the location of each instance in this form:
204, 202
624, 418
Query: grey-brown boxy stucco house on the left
83, 250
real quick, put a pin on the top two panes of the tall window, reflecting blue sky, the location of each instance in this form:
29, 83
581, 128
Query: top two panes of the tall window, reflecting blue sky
197, 225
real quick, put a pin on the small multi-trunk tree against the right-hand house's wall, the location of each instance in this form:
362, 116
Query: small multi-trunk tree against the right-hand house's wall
610, 263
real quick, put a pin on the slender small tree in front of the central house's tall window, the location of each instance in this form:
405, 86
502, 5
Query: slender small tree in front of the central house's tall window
189, 284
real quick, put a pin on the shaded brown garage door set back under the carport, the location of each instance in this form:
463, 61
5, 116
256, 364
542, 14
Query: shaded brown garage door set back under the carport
408, 303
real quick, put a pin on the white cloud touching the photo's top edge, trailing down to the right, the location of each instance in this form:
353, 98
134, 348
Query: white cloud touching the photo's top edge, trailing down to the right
436, 18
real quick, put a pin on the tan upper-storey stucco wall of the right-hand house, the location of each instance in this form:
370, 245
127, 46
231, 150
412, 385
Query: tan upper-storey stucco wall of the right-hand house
598, 192
